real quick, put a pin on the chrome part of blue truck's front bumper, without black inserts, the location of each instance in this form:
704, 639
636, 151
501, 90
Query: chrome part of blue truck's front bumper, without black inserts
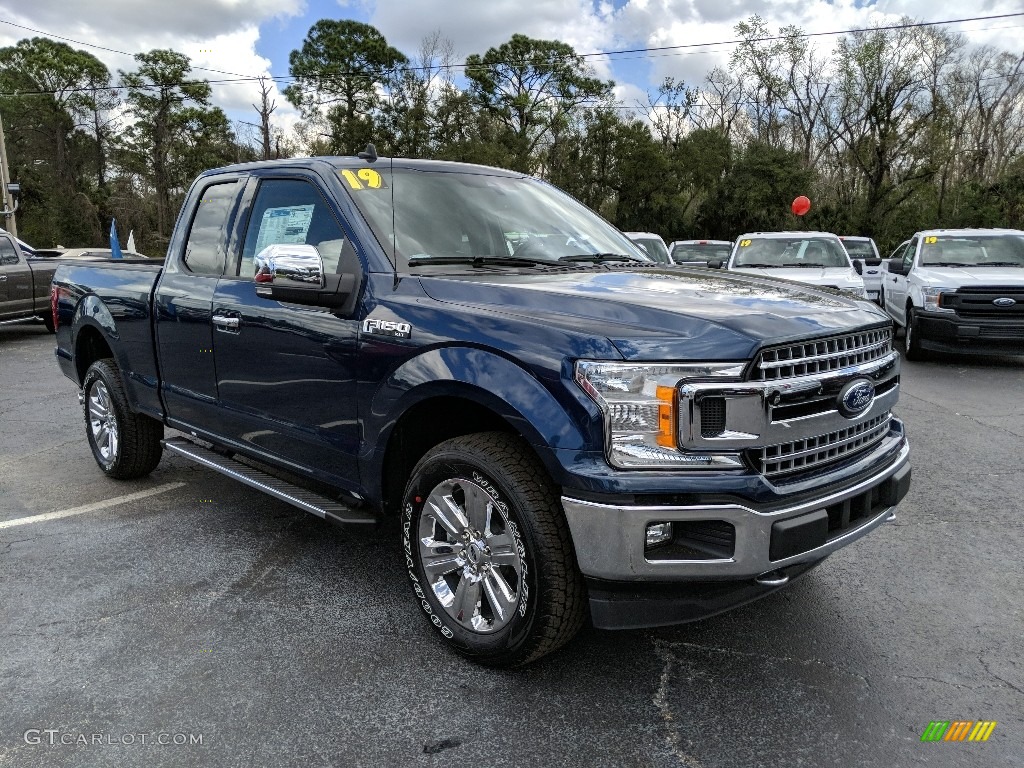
610, 539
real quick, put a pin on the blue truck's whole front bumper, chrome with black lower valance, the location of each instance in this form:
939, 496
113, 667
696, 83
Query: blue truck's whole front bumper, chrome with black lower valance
706, 571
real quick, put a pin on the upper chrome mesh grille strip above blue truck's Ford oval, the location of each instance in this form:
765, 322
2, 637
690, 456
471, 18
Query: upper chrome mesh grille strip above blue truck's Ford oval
823, 356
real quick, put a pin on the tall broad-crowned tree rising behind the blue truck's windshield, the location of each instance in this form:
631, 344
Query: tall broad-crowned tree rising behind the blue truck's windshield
531, 88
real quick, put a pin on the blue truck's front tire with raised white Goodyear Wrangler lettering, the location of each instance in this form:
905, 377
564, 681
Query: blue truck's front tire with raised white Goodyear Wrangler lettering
524, 508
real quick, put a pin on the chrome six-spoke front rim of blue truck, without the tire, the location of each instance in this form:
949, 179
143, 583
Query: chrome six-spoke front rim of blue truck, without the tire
471, 557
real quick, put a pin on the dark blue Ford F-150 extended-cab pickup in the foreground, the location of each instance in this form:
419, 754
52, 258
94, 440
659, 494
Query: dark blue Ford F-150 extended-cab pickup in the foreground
562, 428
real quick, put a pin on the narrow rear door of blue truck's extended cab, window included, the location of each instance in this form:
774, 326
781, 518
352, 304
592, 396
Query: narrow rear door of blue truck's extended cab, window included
184, 303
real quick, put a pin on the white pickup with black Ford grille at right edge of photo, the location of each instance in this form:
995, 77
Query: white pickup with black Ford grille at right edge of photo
958, 291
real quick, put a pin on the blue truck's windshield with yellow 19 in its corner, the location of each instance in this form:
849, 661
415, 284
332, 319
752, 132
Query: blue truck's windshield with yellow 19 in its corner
475, 216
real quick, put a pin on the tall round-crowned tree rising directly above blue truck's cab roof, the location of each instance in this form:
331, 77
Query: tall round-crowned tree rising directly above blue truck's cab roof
340, 72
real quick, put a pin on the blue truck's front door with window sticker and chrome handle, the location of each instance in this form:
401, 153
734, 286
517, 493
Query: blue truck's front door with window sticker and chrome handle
285, 373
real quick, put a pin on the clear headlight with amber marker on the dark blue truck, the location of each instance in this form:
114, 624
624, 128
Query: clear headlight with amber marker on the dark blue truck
641, 404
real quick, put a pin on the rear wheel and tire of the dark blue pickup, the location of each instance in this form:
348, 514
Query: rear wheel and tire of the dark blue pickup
136, 449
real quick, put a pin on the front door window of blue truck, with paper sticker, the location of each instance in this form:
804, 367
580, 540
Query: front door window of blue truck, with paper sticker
292, 211
